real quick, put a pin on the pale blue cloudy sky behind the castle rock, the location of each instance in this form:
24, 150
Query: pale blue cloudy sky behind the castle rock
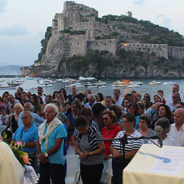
23, 22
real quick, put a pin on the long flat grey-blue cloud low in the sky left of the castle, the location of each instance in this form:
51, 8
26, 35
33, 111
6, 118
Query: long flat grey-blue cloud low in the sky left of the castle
16, 30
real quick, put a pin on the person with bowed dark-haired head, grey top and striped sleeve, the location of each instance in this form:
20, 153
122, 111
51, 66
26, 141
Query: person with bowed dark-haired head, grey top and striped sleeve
90, 151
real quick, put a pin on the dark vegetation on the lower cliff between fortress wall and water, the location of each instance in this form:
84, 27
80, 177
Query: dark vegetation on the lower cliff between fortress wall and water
103, 64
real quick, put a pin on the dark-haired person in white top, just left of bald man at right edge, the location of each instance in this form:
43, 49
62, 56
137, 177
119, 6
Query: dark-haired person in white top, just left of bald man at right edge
166, 138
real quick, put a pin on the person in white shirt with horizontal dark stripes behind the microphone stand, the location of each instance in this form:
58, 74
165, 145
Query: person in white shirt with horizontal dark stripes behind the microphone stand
118, 164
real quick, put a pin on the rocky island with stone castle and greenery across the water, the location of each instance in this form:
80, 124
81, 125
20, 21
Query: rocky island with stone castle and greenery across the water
81, 43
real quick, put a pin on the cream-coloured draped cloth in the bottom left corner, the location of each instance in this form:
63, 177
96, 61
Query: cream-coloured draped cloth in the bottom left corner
11, 172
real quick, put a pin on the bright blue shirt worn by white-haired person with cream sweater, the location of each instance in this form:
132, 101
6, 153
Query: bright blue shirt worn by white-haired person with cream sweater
58, 132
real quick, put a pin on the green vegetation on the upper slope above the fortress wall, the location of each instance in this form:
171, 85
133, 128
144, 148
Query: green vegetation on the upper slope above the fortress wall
151, 33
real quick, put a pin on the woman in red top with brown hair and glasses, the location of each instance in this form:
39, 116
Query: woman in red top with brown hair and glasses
109, 131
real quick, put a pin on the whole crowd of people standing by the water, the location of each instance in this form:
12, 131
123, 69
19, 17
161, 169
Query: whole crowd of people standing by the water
52, 126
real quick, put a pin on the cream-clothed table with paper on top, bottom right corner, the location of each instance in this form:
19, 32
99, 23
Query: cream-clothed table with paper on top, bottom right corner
156, 165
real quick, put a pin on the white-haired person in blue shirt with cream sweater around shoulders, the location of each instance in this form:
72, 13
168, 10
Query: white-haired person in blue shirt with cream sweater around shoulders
50, 147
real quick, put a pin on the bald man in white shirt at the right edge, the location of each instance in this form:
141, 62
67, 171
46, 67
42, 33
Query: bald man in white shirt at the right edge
177, 129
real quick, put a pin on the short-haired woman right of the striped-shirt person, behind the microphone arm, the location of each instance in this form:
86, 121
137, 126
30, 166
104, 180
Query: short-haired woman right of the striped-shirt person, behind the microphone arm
145, 127
